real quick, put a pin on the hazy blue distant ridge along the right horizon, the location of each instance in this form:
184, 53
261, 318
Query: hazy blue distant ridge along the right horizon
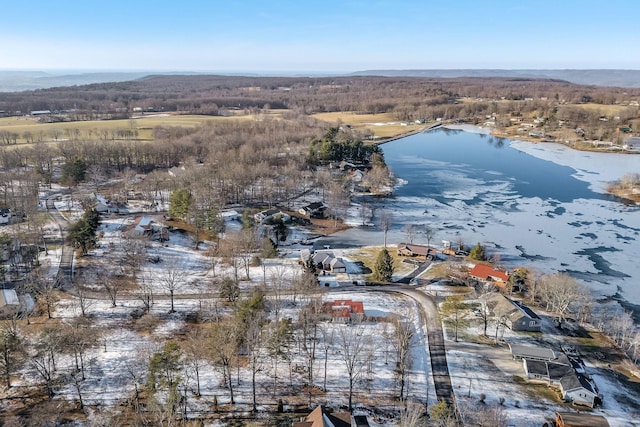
619, 78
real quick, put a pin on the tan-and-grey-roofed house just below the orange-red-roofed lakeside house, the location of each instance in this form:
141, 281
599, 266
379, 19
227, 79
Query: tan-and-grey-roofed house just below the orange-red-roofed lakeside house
517, 316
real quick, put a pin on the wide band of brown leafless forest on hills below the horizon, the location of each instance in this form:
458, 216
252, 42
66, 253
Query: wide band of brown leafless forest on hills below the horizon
407, 97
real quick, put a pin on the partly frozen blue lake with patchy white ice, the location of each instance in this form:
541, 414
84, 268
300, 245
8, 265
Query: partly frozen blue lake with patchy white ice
540, 205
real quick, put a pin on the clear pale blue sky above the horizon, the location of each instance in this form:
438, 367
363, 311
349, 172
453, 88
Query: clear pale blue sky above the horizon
318, 36
